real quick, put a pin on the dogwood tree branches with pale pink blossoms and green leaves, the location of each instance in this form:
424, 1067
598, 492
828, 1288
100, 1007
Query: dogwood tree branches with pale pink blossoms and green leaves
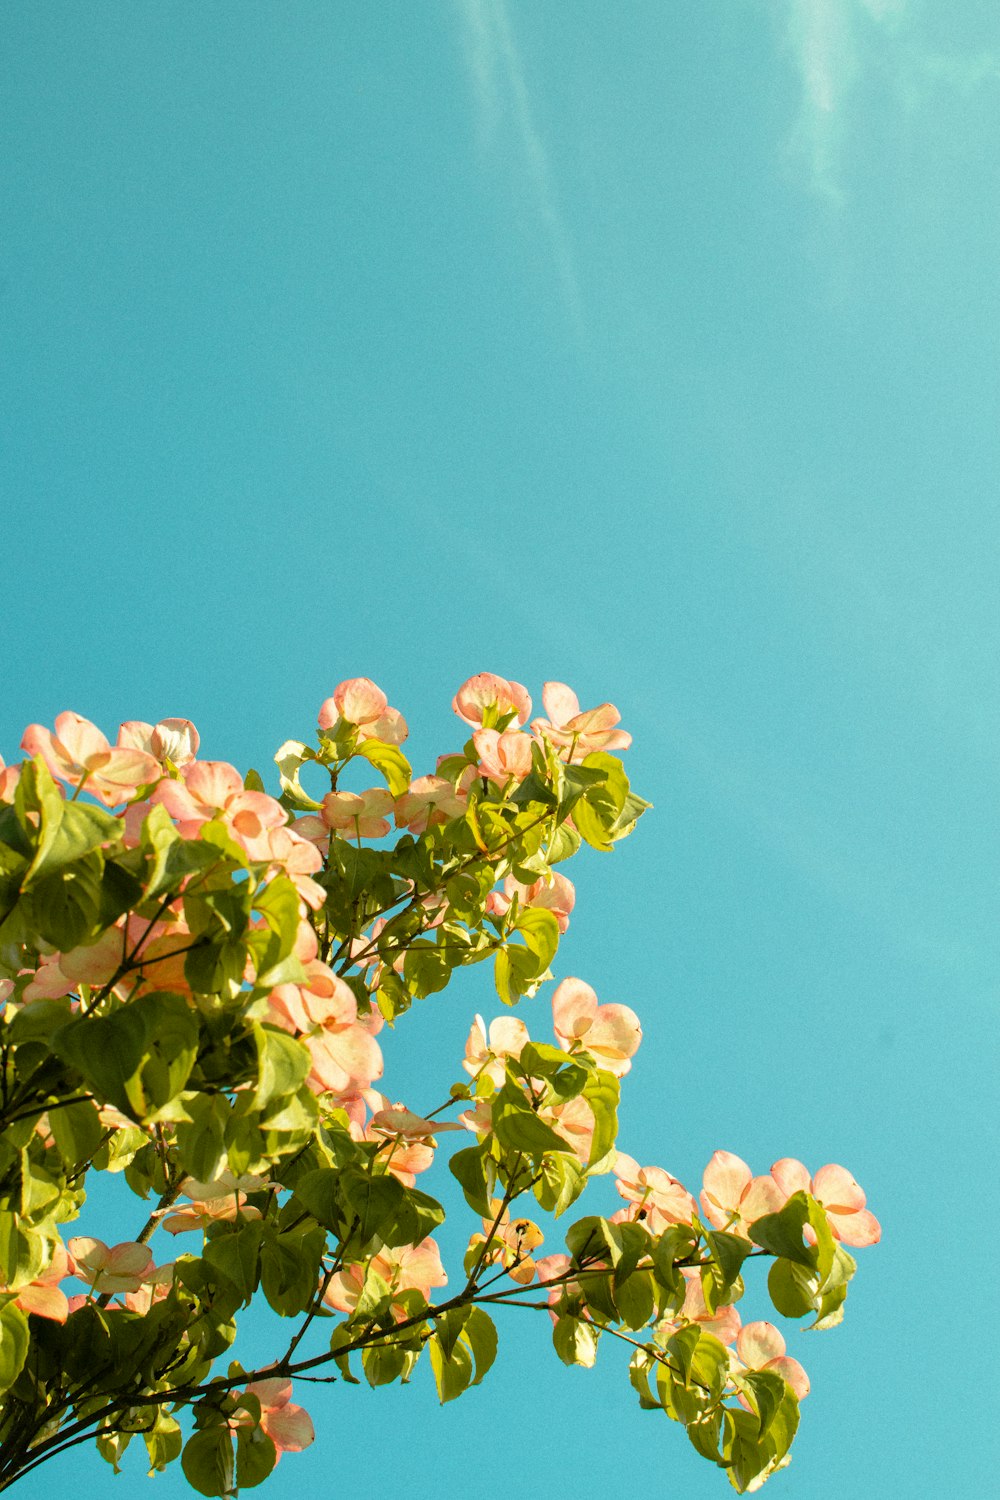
196, 974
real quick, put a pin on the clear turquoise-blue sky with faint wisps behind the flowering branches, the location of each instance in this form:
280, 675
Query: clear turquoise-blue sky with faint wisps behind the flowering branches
653, 349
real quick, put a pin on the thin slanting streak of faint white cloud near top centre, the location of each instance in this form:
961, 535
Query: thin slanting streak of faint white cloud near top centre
504, 104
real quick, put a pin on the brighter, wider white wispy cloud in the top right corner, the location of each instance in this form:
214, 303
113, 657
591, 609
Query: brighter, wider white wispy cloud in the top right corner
833, 46
